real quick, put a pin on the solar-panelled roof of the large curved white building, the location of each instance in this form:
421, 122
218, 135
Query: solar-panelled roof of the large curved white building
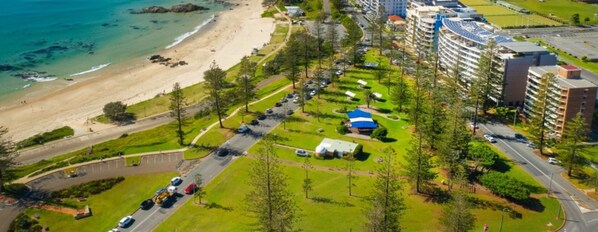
473, 32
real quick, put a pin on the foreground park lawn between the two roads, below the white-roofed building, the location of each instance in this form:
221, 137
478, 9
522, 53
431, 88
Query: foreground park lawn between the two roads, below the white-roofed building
340, 212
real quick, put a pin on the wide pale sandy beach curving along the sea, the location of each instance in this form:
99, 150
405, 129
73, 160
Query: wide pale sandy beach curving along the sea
233, 34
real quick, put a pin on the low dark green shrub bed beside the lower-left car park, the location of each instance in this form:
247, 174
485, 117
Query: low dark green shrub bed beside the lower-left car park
89, 188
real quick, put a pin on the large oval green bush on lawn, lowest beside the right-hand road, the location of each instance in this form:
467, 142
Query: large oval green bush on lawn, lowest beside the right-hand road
505, 186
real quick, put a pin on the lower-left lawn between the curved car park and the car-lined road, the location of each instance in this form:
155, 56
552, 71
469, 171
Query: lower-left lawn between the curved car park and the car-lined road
108, 207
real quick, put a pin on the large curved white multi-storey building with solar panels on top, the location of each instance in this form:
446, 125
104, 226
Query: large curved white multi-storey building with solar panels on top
461, 43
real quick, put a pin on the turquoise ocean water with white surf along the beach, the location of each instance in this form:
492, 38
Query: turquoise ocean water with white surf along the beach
58, 40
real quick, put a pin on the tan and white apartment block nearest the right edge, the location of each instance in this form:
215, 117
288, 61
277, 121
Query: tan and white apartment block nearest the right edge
568, 95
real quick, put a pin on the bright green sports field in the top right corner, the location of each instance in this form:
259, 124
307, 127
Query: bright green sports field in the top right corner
562, 9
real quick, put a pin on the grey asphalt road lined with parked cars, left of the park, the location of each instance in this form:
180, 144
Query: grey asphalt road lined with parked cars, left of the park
209, 167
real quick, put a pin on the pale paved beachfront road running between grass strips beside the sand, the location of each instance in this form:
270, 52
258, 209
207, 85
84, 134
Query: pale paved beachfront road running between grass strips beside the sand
64, 146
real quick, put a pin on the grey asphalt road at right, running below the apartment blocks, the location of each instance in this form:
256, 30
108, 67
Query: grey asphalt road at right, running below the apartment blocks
581, 211
